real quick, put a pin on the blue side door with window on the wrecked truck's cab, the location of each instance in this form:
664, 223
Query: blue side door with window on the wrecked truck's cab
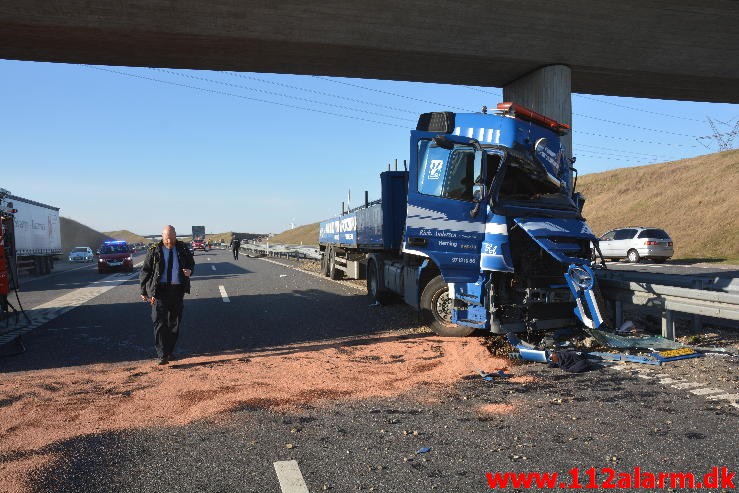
439, 224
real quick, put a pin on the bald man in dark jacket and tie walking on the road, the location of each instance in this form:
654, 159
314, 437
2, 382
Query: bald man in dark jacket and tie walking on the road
164, 280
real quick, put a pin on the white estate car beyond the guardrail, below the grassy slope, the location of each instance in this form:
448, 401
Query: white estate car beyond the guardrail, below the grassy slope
637, 243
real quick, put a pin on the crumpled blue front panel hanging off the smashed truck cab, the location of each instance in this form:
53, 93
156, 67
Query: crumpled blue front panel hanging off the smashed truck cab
561, 239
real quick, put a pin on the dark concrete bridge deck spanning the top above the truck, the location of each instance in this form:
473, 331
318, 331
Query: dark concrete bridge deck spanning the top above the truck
537, 51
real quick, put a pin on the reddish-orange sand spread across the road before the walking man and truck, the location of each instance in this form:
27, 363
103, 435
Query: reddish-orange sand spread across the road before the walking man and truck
41, 408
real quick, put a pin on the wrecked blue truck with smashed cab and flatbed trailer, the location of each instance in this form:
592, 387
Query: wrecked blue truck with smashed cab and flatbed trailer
484, 230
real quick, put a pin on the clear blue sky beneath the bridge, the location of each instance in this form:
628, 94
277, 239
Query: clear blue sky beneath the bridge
136, 148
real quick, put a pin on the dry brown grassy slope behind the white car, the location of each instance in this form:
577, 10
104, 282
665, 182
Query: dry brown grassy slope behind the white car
695, 200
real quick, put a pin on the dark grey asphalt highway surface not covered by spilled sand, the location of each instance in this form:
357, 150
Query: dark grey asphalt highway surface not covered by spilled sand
613, 420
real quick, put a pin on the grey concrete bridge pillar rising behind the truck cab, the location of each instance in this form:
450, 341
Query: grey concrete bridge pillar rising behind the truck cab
547, 91
